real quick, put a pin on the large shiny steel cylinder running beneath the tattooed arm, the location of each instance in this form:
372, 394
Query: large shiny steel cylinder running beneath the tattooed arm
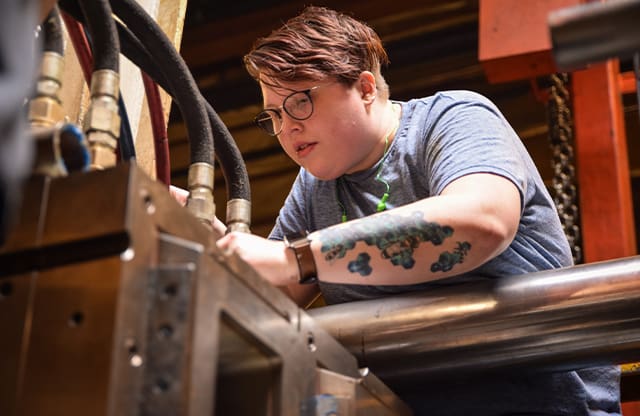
562, 319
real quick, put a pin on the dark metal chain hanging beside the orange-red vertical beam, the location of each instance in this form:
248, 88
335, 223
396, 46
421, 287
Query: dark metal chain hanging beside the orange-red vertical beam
564, 183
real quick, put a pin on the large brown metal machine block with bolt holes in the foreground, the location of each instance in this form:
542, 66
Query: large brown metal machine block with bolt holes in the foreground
134, 311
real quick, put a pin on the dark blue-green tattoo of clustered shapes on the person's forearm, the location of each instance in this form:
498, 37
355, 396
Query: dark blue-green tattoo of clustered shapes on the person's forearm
397, 238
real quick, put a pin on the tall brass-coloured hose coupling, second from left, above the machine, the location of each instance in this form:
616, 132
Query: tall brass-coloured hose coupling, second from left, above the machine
102, 121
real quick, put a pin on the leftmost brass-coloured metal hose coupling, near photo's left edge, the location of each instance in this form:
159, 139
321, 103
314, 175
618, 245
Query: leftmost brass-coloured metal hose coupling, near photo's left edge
45, 108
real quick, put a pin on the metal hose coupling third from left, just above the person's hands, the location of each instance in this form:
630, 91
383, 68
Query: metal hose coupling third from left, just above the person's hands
200, 186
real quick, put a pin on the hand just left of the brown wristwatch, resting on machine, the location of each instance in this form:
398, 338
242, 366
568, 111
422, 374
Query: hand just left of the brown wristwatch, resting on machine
271, 259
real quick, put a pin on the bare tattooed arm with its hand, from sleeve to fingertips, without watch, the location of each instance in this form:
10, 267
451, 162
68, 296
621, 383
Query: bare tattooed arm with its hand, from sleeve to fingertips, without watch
429, 239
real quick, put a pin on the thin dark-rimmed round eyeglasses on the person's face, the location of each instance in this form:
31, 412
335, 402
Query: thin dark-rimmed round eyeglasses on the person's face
298, 105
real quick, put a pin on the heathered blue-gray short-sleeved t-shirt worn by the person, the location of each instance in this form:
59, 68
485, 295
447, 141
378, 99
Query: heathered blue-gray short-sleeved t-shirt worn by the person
442, 138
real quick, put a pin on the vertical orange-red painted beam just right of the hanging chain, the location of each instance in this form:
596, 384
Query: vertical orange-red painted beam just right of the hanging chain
606, 208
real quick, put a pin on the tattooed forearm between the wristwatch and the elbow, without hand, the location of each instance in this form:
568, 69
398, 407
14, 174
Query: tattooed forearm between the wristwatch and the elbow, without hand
430, 239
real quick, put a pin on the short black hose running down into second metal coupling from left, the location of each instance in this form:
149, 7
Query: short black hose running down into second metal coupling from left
104, 36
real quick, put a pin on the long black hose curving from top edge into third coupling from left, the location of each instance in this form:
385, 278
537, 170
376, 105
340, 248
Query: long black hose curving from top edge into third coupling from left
177, 75
